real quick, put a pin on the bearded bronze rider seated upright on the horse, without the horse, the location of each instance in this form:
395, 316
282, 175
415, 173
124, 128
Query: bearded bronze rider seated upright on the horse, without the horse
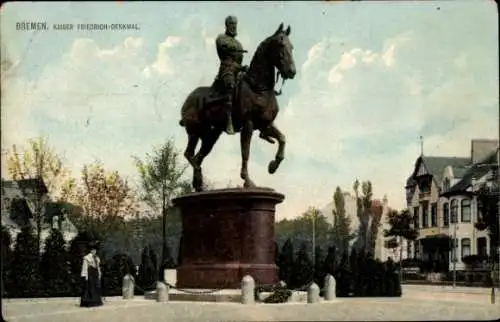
230, 52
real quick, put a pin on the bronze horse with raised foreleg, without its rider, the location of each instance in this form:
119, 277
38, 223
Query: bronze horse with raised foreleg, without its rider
254, 108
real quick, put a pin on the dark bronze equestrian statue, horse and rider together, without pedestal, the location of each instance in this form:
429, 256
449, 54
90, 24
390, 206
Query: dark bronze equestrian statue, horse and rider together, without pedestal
241, 99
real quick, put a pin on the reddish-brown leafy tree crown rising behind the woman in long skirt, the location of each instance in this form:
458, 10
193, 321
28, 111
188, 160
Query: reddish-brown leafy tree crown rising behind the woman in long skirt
106, 198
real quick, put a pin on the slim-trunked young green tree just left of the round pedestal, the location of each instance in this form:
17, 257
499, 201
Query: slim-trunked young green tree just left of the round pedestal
162, 180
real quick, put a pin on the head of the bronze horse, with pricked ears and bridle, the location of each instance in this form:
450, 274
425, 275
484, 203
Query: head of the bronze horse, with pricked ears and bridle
280, 52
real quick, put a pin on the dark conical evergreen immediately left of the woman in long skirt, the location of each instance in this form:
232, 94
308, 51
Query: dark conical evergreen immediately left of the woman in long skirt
54, 268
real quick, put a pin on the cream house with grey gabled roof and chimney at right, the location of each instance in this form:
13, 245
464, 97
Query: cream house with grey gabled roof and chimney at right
440, 196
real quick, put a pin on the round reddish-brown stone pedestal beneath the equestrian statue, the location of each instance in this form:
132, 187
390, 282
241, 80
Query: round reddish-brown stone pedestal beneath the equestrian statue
227, 234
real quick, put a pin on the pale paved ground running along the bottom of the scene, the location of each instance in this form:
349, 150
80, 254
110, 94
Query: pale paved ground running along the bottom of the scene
416, 305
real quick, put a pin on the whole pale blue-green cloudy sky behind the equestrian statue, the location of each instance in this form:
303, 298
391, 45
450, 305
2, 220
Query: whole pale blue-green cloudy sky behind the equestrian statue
372, 77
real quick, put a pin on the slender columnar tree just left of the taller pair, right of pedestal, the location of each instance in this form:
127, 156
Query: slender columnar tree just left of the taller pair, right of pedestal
341, 231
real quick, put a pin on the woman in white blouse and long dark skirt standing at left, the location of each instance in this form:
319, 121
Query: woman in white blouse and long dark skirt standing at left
91, 276
